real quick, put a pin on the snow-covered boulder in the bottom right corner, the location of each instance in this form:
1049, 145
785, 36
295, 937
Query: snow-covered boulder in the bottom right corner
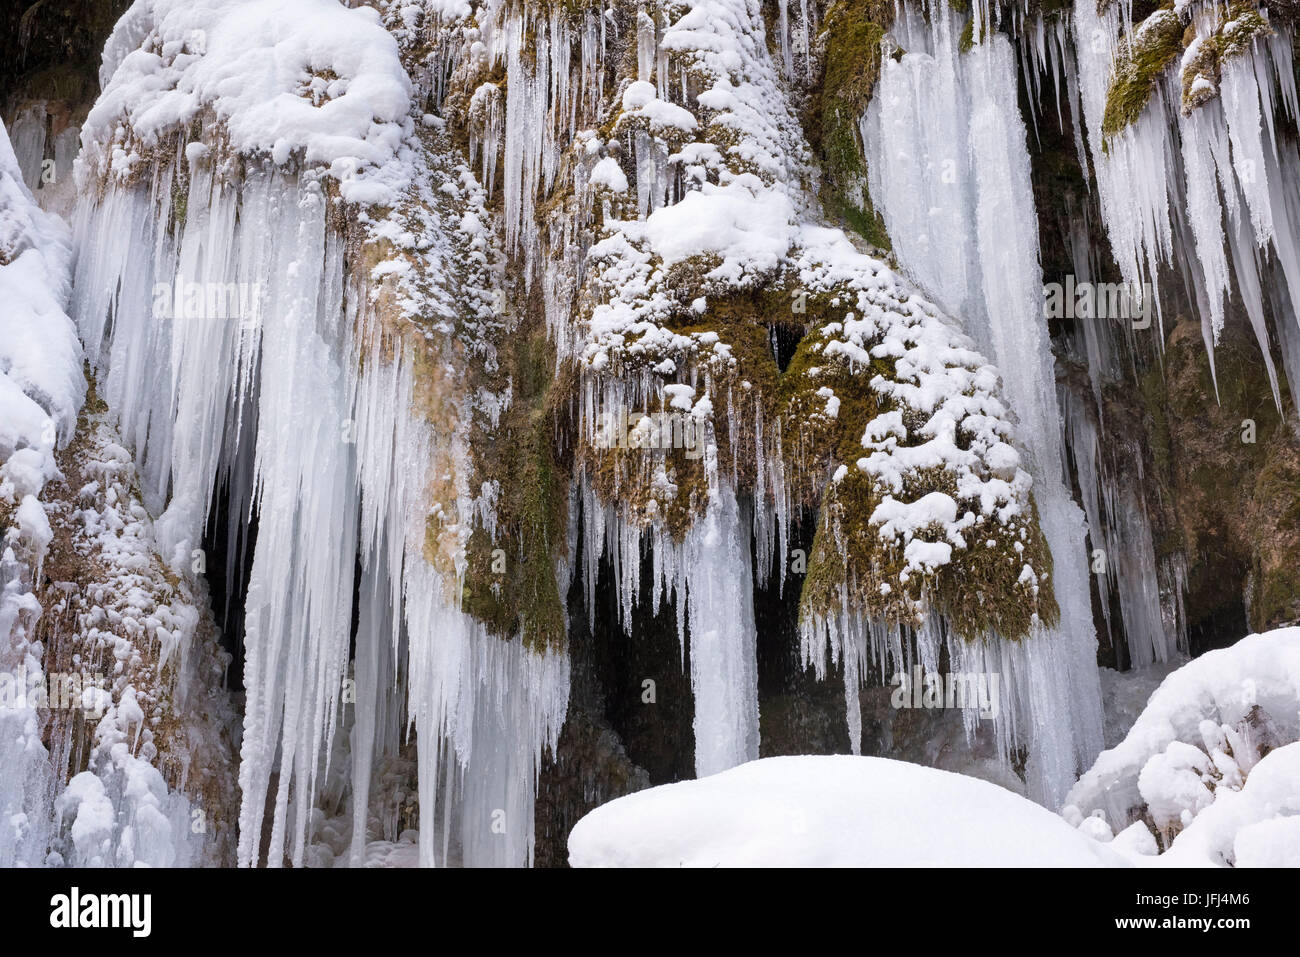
1211, 768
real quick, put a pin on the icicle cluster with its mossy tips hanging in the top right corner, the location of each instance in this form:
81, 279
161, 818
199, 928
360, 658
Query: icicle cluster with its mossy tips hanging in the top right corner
1201, 183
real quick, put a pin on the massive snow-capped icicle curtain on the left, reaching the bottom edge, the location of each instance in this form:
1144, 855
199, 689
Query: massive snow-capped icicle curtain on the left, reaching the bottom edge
310, 393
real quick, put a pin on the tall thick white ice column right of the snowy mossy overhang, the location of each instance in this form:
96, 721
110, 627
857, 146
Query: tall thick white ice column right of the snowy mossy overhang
972, 207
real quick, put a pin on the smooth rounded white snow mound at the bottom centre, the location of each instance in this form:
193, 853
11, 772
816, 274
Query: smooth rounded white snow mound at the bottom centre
833, 812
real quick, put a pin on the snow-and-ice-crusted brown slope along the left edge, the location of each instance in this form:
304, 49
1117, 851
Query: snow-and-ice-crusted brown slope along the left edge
93, 670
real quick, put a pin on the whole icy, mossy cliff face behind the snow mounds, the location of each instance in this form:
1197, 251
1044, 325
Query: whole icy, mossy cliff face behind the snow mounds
538, 401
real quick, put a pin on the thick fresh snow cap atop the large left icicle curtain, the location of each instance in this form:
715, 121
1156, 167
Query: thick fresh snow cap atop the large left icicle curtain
291, 79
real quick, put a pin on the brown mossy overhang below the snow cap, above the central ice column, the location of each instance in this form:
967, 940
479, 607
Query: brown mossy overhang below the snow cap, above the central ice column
824, 414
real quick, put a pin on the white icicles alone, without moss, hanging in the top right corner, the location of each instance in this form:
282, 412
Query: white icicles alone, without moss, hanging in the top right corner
1228, 148
